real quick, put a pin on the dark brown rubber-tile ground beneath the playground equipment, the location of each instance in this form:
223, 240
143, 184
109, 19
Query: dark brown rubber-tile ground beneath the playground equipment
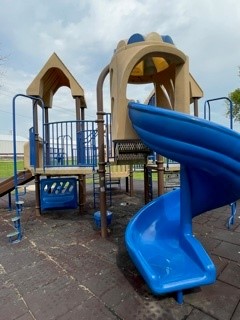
62, 269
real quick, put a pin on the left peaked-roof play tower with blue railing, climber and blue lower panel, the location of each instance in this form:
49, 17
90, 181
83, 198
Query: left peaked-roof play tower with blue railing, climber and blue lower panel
59, 155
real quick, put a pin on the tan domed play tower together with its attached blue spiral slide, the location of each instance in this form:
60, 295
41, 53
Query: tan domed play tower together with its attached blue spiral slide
159, 238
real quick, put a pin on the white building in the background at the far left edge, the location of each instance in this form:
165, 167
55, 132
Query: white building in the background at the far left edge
6, 145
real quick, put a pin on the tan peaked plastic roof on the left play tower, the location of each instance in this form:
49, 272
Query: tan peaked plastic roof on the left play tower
52, 76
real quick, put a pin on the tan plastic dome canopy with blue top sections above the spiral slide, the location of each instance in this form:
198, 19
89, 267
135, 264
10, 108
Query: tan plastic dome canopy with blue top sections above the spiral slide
149, 59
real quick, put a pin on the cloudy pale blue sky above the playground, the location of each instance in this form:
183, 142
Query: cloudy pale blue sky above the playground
84, 34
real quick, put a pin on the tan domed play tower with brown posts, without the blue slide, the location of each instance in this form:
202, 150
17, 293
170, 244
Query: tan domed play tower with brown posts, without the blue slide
141, 60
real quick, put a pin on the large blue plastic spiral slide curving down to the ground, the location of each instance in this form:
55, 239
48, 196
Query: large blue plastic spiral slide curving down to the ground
159, 237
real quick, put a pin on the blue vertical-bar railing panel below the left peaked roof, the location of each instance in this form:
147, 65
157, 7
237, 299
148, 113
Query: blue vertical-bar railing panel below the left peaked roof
70, 143
